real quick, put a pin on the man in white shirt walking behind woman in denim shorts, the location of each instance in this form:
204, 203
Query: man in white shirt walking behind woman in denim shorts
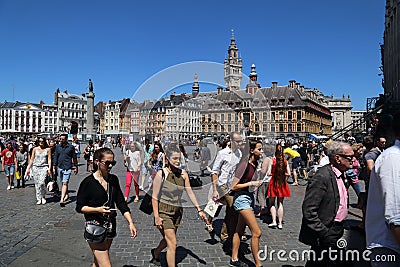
222, 177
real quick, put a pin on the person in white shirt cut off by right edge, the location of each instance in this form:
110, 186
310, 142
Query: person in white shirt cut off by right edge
383, 209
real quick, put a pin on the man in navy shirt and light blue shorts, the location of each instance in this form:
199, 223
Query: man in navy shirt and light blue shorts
64, 156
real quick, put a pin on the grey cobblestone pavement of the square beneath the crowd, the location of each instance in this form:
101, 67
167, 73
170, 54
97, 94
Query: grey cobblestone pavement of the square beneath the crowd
48, 235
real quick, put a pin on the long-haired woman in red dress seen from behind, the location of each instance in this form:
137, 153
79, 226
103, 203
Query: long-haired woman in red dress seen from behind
278, 187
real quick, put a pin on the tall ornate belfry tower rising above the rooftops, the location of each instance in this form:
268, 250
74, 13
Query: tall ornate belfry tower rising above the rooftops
233, 67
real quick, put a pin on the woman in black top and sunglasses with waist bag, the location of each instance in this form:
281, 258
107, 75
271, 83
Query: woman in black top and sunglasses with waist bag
98, 196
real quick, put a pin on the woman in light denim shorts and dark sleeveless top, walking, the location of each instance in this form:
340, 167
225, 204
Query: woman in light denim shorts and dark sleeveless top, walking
243, 185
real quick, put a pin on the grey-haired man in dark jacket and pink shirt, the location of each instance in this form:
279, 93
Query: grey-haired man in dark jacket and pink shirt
325, 206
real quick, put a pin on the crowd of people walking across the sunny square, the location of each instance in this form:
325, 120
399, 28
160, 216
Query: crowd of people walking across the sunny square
247, 178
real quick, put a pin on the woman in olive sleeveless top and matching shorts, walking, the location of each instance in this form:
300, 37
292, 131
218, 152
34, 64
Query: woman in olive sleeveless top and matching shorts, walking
168, 187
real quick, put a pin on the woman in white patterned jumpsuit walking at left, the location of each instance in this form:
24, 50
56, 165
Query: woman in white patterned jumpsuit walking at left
40, 162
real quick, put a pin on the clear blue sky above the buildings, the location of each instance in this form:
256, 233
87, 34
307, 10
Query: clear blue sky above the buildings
123, 44
